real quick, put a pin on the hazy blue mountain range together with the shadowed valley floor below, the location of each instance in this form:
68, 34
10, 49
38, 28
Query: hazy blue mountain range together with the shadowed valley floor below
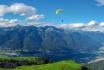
51, 42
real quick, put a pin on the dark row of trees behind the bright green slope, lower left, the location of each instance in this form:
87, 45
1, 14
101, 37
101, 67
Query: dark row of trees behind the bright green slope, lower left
20, 61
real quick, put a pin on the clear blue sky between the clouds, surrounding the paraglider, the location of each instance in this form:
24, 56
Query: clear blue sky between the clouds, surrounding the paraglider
76, 11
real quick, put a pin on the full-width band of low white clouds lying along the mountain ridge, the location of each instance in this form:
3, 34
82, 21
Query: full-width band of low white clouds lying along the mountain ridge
91, 26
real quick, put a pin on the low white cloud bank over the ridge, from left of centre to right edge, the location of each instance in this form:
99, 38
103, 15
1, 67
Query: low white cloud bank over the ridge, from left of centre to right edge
91, 26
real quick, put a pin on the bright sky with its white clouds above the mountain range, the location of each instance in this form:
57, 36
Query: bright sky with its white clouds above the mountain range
44, 11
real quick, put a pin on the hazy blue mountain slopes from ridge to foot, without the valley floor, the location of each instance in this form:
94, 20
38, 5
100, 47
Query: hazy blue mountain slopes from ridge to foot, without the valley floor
48, 38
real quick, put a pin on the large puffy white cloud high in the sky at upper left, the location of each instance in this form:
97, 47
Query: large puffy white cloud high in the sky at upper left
21, 9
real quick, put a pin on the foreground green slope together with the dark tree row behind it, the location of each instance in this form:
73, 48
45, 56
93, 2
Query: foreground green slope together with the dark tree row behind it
35, 63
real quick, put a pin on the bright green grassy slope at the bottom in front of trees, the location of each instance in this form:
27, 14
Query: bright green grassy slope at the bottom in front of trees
62, 65
